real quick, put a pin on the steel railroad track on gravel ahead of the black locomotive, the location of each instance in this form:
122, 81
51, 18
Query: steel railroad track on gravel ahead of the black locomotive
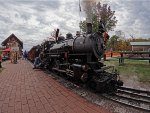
135, 98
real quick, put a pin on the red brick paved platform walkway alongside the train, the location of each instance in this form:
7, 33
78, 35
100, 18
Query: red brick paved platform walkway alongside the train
24, 90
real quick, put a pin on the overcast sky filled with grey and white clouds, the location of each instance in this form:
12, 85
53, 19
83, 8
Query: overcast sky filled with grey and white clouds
32, 21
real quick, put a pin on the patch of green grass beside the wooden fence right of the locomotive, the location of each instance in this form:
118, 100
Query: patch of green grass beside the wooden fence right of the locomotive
139, 68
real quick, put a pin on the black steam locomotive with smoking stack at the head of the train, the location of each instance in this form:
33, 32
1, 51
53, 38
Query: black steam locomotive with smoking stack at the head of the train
79, 58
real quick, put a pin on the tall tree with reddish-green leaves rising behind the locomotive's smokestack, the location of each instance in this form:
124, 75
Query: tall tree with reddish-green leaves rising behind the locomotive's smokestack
100, 12
